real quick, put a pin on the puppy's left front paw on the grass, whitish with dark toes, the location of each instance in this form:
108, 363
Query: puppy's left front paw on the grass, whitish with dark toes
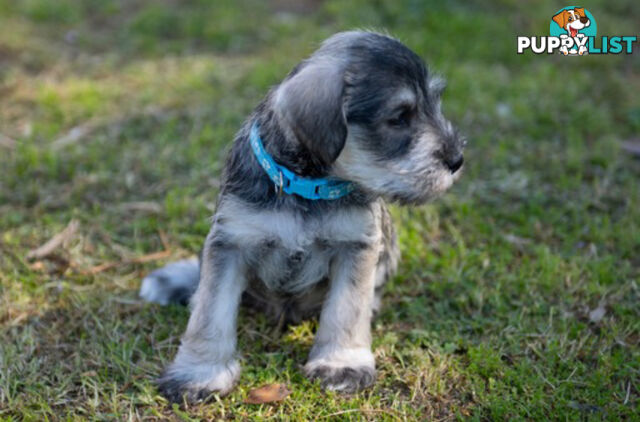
196, 383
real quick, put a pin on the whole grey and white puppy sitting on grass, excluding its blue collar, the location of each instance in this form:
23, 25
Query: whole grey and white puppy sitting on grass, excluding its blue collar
363, 108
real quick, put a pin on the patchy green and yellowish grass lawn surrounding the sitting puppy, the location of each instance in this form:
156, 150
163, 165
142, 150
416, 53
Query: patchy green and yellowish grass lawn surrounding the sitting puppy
517, 297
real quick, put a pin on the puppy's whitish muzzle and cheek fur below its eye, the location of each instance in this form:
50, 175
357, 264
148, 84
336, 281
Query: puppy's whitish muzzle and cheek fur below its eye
416, 177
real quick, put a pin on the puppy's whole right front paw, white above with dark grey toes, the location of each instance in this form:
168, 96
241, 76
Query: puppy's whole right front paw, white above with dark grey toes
345, 371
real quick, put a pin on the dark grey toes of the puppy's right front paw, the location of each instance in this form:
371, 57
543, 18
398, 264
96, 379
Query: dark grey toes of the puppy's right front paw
343, 379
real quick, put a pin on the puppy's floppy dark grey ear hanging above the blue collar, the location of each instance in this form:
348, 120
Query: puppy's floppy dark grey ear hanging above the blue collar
311, 103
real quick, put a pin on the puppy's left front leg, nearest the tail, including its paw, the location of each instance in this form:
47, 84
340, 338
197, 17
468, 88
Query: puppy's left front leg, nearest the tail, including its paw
206, 359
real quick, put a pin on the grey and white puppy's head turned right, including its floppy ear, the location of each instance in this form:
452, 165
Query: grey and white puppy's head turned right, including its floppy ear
366, 107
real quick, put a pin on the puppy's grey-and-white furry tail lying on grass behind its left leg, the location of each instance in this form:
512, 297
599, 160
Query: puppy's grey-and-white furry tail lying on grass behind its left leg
174, 283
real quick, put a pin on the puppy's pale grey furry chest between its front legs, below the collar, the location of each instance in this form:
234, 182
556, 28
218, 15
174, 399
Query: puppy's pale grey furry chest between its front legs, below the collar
289, 252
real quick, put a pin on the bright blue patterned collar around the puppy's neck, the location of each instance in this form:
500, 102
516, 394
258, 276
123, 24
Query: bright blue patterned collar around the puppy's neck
288, 182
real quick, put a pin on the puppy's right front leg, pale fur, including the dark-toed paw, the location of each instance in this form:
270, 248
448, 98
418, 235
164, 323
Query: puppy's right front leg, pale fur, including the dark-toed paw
341, 355
